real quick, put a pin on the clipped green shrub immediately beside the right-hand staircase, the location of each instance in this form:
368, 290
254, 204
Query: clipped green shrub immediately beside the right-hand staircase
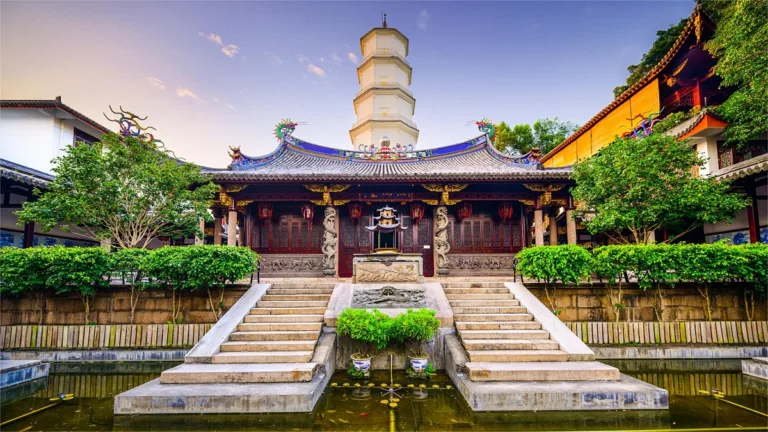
566, 263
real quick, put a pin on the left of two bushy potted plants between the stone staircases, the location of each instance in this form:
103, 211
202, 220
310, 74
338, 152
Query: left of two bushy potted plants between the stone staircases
369, 329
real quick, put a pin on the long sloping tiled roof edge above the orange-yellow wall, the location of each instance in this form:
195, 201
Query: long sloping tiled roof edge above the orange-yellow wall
651, 75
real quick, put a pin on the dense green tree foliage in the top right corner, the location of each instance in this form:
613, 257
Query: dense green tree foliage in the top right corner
740, 45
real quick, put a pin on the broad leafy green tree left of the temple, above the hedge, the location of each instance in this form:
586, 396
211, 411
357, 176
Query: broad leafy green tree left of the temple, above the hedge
122, 189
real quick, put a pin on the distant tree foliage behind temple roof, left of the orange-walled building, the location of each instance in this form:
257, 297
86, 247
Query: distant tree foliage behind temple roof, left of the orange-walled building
545, 134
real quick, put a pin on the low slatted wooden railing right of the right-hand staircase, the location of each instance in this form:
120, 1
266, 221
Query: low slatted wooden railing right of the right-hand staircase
671, 332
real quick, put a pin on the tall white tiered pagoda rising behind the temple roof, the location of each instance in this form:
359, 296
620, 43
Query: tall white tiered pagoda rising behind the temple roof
384, 105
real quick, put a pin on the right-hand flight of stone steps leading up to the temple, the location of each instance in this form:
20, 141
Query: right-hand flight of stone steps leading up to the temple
504, 342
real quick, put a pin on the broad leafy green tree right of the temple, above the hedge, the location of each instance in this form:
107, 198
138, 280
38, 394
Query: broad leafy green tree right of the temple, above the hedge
641, 185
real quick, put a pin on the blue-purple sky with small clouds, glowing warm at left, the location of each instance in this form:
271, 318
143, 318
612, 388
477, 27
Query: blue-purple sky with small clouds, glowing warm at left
216, 74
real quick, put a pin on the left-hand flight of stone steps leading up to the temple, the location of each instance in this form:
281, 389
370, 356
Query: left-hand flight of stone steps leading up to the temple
274, 343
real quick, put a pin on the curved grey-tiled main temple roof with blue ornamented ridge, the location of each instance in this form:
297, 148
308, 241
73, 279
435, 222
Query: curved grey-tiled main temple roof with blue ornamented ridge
475, 160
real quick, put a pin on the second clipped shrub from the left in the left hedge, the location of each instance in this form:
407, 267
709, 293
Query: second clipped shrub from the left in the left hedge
79, 270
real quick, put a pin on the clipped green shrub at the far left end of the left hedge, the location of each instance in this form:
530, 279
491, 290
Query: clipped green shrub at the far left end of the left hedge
25, 271
